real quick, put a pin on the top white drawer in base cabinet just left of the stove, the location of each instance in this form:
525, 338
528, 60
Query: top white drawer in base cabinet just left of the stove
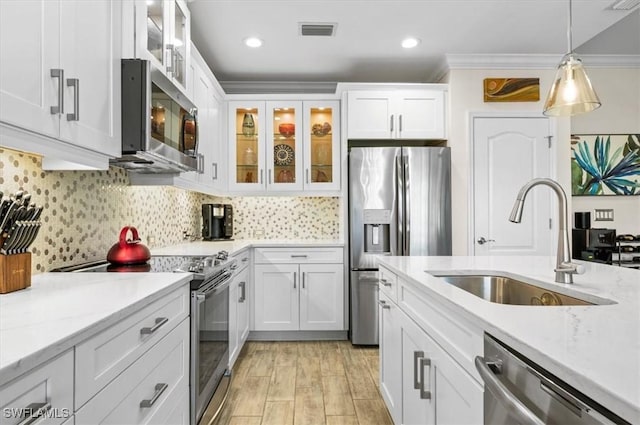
103, 357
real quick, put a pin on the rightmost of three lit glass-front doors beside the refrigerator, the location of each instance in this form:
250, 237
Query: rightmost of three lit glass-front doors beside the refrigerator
322, 145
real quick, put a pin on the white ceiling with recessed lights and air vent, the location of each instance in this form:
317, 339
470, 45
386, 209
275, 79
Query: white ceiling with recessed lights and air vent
366, 46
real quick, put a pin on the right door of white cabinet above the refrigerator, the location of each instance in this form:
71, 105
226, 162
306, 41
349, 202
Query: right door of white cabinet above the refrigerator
420, 114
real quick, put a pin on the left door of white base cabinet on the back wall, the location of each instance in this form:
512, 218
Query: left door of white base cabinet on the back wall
276, 297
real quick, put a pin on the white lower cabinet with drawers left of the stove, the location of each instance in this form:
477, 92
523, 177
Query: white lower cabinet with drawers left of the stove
136, 371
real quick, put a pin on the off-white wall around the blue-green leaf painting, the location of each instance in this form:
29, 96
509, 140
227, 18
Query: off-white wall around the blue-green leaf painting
619, 92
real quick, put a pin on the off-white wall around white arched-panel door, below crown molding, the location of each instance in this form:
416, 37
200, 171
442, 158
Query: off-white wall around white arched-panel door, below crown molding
466, 97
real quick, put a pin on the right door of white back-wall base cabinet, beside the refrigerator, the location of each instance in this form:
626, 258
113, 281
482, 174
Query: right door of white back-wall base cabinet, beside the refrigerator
321, 297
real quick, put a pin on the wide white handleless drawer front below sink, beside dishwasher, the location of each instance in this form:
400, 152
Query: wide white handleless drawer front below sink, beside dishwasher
459, 337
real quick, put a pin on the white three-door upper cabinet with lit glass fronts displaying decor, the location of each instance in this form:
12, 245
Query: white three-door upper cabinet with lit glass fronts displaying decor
284, 146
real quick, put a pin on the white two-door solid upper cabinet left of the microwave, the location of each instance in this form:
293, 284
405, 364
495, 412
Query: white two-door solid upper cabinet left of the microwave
60, 78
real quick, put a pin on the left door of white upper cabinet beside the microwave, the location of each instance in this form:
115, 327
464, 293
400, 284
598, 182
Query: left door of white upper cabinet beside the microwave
30, 49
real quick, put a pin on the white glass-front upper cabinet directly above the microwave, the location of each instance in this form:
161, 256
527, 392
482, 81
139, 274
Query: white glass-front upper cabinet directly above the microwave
163, 36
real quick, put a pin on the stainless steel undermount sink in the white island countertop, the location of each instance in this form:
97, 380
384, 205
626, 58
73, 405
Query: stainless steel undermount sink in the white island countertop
507, 290
